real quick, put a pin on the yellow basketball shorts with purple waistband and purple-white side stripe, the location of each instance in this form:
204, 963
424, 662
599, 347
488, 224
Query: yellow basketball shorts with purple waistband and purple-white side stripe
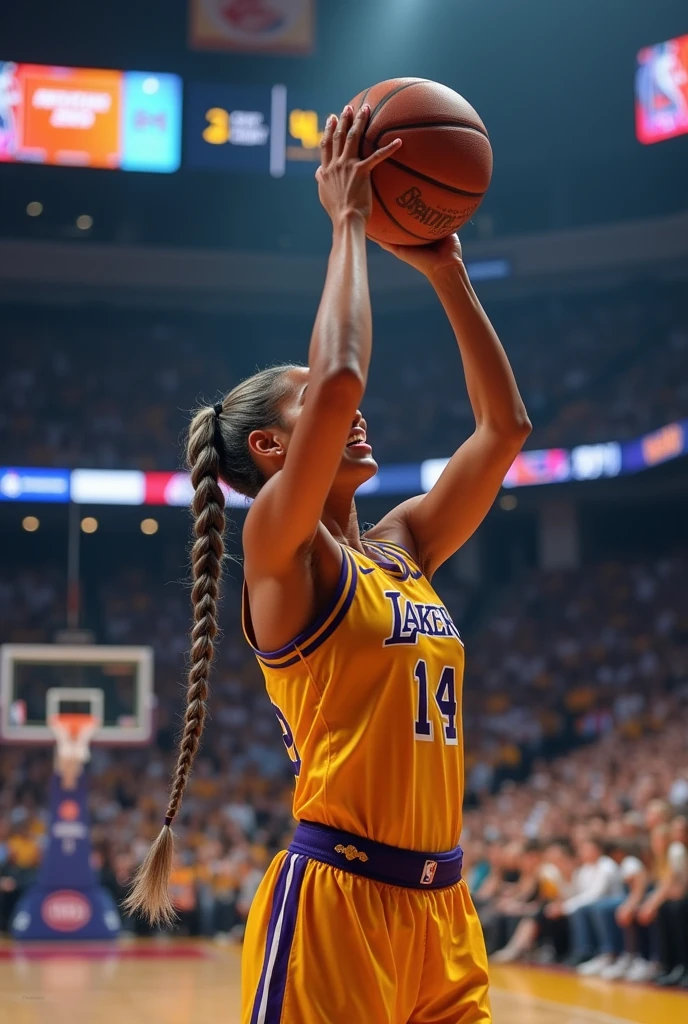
332, 946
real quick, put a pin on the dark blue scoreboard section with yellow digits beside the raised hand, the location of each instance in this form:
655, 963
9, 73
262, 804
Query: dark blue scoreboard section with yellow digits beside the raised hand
265, 130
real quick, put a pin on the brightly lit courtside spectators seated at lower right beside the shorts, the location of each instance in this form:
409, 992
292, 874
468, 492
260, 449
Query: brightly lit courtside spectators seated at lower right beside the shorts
587, 862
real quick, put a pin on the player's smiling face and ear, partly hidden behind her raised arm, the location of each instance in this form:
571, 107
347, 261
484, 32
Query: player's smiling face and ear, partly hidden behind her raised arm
269, 447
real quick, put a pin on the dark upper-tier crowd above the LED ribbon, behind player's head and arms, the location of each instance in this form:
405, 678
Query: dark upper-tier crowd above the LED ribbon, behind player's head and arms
112, 390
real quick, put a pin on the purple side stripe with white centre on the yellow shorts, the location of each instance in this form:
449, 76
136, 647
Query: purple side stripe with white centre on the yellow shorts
271, 993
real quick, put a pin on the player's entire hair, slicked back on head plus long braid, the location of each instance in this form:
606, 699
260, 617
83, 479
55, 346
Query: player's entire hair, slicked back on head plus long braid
218, 450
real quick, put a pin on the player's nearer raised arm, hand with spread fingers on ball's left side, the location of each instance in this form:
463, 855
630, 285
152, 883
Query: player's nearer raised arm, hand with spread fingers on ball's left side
286, 514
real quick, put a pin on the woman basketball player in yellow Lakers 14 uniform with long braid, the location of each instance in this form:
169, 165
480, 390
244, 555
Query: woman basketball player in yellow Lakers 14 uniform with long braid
365, 920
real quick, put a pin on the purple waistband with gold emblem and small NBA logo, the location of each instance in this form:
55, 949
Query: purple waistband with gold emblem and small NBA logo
378, 862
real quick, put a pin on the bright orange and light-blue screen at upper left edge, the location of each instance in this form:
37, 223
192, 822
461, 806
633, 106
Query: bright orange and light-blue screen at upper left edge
85, 117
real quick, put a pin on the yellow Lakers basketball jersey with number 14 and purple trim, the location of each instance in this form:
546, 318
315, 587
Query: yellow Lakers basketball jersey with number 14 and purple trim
369, 701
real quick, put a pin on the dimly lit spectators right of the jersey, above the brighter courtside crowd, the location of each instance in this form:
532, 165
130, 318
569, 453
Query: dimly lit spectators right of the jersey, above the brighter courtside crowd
567, 657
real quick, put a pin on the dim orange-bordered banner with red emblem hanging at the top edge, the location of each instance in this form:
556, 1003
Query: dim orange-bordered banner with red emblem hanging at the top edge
253, 26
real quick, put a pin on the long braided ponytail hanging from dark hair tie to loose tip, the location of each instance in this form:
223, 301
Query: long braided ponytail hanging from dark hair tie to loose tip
150, 893
